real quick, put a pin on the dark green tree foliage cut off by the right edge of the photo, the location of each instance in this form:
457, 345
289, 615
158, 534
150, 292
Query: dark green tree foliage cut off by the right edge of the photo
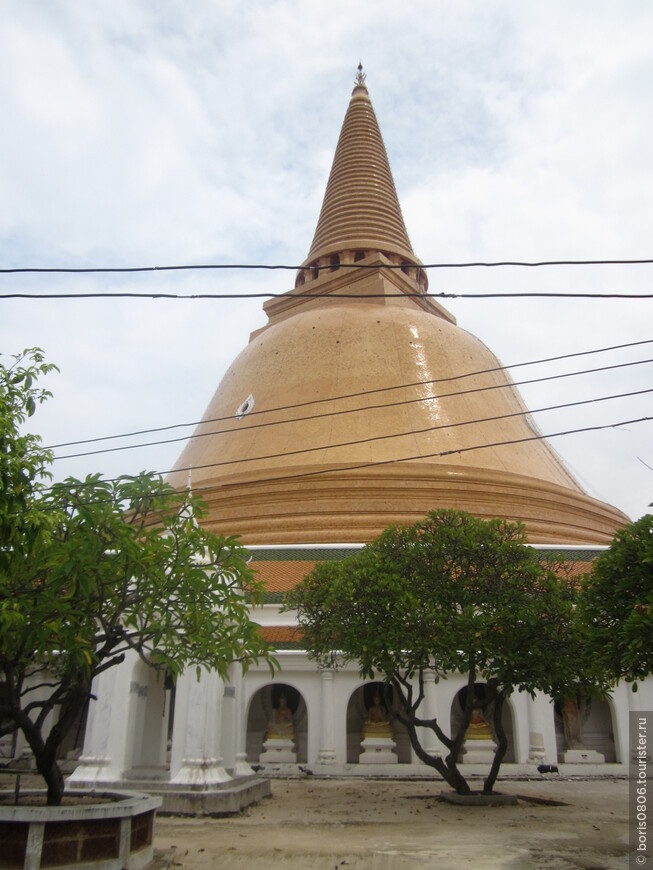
616, 604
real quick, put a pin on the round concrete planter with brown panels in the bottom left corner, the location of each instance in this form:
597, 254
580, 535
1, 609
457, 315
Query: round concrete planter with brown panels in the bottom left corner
116, 835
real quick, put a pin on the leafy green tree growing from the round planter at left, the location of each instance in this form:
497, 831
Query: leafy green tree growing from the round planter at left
92, 569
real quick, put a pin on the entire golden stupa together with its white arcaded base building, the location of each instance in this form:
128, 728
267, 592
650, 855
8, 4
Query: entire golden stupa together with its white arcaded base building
360, 403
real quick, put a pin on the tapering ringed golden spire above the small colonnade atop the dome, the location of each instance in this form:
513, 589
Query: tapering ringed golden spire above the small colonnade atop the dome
361, 211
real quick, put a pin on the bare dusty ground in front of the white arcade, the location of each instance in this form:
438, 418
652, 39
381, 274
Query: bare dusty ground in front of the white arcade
315, 824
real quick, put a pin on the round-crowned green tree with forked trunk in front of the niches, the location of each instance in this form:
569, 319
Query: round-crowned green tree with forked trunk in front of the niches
450, 594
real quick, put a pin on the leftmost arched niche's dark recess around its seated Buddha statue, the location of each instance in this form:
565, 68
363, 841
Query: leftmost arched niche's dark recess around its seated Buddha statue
260, 714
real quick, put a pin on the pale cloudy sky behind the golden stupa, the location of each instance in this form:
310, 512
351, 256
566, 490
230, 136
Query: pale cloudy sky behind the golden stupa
172, 133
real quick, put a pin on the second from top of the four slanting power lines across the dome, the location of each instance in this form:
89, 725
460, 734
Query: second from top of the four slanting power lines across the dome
358, 409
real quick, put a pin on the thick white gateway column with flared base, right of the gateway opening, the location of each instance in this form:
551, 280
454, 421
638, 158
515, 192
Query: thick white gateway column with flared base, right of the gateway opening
196, 758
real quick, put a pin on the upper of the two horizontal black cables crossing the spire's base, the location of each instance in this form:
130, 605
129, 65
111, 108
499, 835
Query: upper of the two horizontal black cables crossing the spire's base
72, 270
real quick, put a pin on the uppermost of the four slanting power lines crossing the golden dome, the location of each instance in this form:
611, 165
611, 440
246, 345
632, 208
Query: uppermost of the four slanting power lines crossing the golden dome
353, 395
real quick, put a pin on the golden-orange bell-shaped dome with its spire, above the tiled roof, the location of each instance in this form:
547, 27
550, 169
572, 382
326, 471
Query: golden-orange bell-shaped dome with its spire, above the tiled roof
361, 402
